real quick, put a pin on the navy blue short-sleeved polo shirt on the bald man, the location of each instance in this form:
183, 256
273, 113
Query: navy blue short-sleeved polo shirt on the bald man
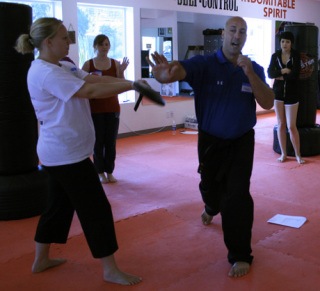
224, 103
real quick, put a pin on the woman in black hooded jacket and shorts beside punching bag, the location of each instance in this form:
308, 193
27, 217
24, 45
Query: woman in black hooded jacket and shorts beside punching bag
285, 68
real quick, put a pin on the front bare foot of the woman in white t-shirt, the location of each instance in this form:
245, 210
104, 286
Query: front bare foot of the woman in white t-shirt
111, 273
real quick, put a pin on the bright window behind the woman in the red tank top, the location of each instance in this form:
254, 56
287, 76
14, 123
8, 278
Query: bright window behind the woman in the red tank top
117, 23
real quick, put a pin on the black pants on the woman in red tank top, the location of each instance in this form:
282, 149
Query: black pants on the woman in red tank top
106, 128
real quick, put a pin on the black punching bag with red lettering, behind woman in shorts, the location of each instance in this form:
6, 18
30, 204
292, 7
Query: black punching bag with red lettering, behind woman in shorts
306, 42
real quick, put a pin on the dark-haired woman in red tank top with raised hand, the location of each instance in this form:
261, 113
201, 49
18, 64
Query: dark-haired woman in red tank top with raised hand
105, 112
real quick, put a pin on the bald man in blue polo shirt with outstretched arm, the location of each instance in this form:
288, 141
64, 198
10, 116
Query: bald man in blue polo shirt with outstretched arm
227, 86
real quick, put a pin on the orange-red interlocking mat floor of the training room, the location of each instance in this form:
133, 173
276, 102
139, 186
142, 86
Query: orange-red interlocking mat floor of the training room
157, 207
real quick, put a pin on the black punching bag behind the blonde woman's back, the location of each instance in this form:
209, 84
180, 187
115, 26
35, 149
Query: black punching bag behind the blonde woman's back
23, 184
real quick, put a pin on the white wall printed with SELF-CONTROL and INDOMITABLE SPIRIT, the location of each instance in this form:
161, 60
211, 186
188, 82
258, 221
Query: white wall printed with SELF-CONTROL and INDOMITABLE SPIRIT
153, 116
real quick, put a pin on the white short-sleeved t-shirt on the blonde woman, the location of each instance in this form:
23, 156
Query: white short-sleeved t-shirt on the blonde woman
66, 128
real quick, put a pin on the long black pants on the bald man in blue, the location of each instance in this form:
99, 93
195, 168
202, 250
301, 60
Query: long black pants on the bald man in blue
225, 167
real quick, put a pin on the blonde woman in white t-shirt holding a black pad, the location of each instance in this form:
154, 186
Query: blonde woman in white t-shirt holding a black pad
59, 92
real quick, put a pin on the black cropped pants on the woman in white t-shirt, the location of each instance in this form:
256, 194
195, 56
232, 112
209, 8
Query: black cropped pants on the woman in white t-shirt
76, 187
